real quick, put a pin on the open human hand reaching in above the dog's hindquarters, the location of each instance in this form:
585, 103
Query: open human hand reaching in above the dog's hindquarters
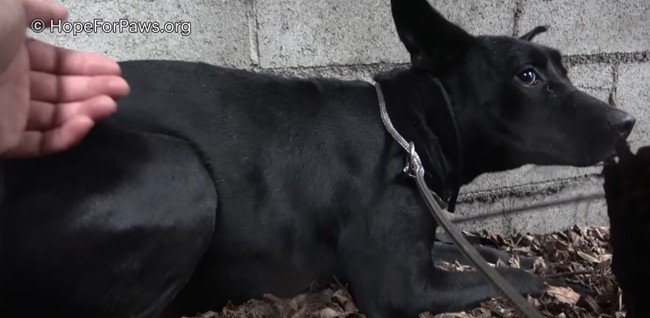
50, 97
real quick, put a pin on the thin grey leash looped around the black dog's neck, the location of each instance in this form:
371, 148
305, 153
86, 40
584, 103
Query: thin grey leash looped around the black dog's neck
415, 169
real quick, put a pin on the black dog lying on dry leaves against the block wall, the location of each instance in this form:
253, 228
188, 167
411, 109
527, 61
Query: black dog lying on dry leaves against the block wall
213, 184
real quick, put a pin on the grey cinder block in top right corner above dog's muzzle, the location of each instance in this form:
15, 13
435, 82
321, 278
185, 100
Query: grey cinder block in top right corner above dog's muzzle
590, 26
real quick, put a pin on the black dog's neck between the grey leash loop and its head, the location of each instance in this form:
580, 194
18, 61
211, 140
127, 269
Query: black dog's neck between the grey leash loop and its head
419, 112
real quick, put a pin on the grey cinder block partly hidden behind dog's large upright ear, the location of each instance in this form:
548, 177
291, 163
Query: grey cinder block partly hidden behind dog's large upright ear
294, 33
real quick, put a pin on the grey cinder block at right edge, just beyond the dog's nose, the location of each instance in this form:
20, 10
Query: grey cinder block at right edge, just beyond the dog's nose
633, 95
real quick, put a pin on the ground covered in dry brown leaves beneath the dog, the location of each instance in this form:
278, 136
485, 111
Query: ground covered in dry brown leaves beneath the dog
576, 263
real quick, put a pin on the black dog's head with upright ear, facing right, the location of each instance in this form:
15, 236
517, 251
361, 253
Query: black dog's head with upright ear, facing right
513, 100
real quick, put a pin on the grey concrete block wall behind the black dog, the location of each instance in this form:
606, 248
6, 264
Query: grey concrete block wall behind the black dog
606, 45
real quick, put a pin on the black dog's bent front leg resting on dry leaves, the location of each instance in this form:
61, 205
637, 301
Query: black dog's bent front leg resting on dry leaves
387, 262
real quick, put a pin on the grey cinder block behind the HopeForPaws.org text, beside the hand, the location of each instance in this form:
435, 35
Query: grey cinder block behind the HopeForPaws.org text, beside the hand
219, 30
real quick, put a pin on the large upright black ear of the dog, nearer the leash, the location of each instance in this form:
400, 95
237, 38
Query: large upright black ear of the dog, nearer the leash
433, 42
